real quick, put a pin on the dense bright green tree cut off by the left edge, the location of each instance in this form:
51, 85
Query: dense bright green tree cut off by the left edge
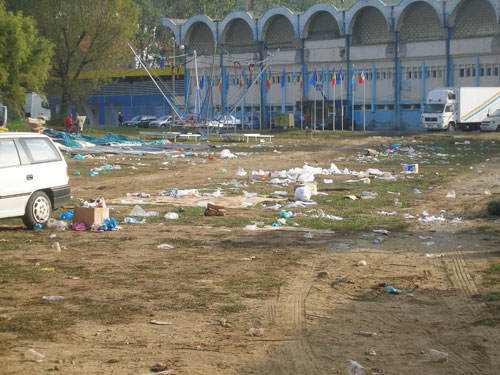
24, 59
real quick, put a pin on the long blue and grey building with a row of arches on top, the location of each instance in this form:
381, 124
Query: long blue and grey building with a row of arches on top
405, 49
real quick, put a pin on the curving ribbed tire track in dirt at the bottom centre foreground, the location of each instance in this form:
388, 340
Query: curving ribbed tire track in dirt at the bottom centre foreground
288, 312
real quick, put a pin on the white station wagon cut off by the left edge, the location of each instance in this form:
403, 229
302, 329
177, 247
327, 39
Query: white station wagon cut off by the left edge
34, 177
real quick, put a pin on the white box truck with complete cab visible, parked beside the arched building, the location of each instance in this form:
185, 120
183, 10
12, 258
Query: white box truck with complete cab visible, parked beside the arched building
459, 107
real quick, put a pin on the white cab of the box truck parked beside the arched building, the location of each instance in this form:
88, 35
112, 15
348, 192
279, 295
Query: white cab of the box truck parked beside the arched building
440, 110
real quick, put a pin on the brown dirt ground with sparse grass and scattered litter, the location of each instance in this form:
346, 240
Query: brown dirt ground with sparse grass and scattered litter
303, 286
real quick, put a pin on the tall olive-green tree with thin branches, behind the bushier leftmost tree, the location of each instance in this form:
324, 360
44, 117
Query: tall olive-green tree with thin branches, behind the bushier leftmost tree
90, 36
